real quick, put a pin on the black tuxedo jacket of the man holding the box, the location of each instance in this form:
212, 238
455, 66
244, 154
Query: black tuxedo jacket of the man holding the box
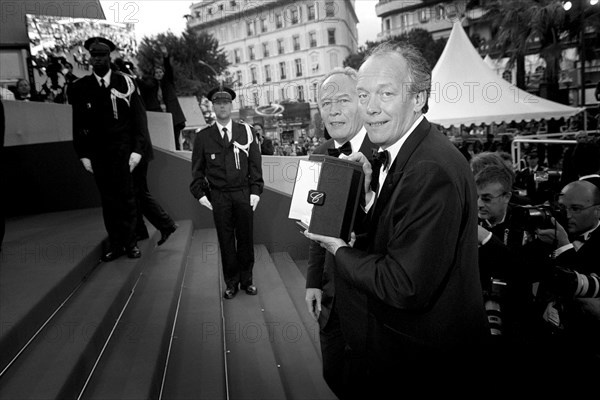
420, 270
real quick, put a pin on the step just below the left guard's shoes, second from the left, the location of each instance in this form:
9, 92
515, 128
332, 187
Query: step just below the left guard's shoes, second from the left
57, 363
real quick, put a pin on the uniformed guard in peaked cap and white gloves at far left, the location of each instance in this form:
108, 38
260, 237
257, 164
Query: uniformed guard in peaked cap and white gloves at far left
108, 134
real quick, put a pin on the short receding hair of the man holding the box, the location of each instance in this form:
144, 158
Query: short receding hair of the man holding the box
419, 70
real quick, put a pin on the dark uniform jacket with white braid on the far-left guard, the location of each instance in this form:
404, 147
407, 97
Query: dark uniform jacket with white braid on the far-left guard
96, 131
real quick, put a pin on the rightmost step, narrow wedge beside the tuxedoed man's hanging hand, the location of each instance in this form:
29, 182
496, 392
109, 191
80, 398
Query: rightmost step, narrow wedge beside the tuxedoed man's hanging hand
295, 282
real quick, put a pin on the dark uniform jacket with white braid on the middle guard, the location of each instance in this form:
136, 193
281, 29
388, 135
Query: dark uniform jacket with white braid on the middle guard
214, 164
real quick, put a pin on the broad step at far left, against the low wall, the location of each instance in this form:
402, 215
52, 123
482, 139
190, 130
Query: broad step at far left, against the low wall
44, 258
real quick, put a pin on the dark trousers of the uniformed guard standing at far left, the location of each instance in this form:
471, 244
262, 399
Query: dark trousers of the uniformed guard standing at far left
119, 207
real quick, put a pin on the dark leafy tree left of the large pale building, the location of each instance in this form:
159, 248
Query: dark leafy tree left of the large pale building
191, 78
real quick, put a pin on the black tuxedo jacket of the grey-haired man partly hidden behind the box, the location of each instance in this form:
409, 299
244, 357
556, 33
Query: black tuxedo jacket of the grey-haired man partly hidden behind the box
320, 262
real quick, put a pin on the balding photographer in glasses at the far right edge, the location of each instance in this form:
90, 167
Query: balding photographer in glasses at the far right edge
569, 290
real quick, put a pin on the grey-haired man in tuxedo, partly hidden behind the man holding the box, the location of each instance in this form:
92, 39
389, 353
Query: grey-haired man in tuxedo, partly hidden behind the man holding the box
338, 104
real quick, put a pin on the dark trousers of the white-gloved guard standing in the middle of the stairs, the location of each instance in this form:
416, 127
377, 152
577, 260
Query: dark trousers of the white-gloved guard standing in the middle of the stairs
233, 219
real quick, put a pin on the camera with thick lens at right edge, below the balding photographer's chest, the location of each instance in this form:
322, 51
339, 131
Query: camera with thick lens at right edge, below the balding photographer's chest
568, 283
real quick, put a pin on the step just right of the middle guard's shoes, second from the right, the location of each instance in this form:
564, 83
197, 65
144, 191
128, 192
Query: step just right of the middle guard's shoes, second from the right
299, 361
